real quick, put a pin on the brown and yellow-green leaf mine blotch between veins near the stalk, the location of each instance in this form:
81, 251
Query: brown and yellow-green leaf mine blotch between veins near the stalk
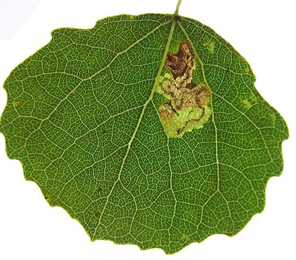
188, 103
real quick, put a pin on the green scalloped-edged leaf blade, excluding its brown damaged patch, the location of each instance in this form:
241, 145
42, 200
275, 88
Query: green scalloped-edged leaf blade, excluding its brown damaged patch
83, 117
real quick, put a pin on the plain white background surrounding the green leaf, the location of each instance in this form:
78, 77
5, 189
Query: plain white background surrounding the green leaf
262, 31
